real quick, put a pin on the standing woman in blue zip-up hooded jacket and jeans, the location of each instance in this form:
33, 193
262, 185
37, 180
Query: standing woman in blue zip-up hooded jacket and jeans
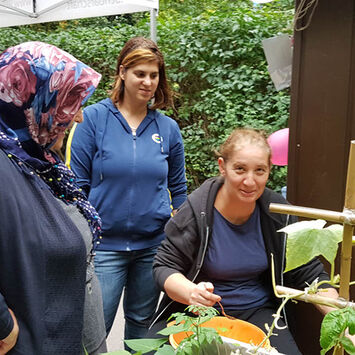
129, 159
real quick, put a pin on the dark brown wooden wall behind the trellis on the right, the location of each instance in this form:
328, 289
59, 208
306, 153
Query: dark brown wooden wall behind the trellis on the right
322, 124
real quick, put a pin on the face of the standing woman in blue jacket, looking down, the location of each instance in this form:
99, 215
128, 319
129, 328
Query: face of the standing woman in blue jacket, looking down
140, 81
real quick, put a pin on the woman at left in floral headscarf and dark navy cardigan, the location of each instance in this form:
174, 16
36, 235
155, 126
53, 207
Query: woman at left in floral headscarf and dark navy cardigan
48, 229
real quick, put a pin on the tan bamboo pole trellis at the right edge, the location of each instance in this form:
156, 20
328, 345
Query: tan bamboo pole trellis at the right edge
347, 218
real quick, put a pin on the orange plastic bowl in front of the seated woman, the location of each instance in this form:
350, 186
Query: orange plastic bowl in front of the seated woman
234, 328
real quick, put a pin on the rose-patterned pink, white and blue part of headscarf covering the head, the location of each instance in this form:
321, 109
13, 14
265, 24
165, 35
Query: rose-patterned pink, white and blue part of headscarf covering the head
47, 84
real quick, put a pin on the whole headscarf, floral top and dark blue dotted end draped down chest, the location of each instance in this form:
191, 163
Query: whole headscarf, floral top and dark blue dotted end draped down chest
41, 89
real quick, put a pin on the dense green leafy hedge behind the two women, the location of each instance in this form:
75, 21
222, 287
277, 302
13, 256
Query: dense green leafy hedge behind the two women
215, 63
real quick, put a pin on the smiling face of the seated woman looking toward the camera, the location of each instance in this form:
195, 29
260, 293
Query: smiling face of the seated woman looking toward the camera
246, 173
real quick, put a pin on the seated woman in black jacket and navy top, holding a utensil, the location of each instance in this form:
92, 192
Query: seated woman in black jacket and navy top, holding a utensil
219, 244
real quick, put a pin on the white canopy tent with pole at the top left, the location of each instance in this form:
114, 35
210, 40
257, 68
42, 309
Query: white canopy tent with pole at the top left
23, 12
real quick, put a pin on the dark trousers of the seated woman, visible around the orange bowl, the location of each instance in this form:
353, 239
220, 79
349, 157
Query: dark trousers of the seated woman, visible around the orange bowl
283, 341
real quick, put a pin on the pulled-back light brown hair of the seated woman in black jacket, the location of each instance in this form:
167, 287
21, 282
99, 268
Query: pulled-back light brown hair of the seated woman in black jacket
241, 137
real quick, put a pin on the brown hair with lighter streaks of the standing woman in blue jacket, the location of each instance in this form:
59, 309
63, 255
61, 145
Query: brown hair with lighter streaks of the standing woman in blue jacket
136, 51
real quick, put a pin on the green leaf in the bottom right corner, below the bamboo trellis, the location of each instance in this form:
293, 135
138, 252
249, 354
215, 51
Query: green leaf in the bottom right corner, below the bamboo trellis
333, 329
